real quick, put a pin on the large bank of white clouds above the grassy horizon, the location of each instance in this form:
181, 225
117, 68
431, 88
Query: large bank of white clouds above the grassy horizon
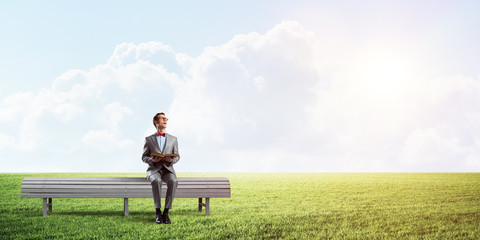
260, 102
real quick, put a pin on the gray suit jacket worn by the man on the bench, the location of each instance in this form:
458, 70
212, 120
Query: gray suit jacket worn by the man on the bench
151, 145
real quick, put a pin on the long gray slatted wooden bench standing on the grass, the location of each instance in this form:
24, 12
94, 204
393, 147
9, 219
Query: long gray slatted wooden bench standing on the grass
120, 187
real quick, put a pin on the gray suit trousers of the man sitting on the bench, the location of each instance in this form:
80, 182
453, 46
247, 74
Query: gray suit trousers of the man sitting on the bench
156, 181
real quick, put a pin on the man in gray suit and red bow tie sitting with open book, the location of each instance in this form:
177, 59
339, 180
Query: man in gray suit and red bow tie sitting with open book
161, 169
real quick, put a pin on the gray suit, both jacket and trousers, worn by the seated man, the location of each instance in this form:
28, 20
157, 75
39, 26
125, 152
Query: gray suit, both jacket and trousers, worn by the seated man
161, 171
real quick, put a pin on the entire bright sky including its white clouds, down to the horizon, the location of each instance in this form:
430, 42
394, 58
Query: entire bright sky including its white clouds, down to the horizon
269, 86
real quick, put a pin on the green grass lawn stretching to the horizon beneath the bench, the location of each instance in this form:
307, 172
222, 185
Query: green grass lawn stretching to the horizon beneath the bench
264, 206
